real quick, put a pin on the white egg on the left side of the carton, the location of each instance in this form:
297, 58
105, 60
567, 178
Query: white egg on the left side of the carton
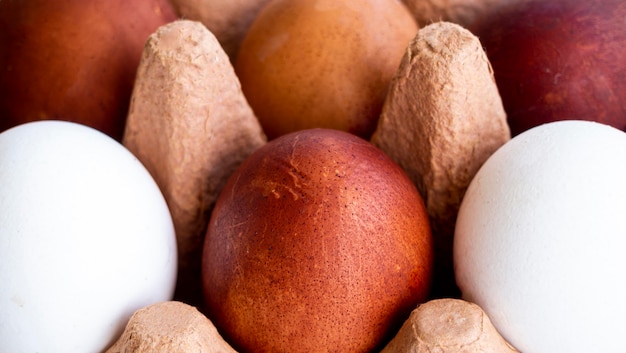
86, 239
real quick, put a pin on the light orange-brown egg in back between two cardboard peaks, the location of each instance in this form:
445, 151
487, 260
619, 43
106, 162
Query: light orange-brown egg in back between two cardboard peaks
323, 63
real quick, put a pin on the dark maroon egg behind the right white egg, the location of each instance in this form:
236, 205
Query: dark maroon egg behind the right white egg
557, 59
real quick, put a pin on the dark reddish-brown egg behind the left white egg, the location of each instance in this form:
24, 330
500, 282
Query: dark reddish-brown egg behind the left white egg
74, 59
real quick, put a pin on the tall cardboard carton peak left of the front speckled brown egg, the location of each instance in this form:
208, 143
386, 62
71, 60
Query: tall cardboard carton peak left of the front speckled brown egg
191, 126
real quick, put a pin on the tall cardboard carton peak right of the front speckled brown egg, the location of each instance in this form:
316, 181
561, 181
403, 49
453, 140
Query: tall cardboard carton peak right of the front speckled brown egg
442, 119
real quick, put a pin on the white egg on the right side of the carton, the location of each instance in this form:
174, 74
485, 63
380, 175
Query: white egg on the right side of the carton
540, 238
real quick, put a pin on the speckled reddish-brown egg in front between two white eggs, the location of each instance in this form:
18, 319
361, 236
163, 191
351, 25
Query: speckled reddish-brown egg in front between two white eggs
317, 243
